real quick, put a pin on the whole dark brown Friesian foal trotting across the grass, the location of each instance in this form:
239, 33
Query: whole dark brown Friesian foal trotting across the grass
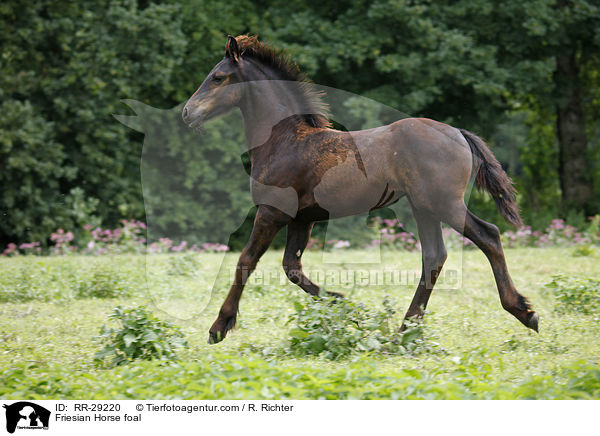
303, 171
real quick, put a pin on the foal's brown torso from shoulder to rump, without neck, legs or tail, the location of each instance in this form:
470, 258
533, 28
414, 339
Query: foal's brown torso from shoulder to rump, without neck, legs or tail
350, 172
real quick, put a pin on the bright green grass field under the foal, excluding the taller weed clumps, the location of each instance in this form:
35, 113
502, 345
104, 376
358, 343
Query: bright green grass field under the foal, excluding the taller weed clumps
51, 308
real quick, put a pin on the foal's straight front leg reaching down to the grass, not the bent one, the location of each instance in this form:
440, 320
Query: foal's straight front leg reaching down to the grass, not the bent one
267, 223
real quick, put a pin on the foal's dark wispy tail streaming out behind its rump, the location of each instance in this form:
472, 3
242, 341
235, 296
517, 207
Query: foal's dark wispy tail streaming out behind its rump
492, 178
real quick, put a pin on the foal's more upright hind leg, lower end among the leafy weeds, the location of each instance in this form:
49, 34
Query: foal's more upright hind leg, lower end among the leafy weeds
433, 254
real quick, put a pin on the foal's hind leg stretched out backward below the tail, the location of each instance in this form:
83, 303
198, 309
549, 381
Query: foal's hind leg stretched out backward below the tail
487, 237
